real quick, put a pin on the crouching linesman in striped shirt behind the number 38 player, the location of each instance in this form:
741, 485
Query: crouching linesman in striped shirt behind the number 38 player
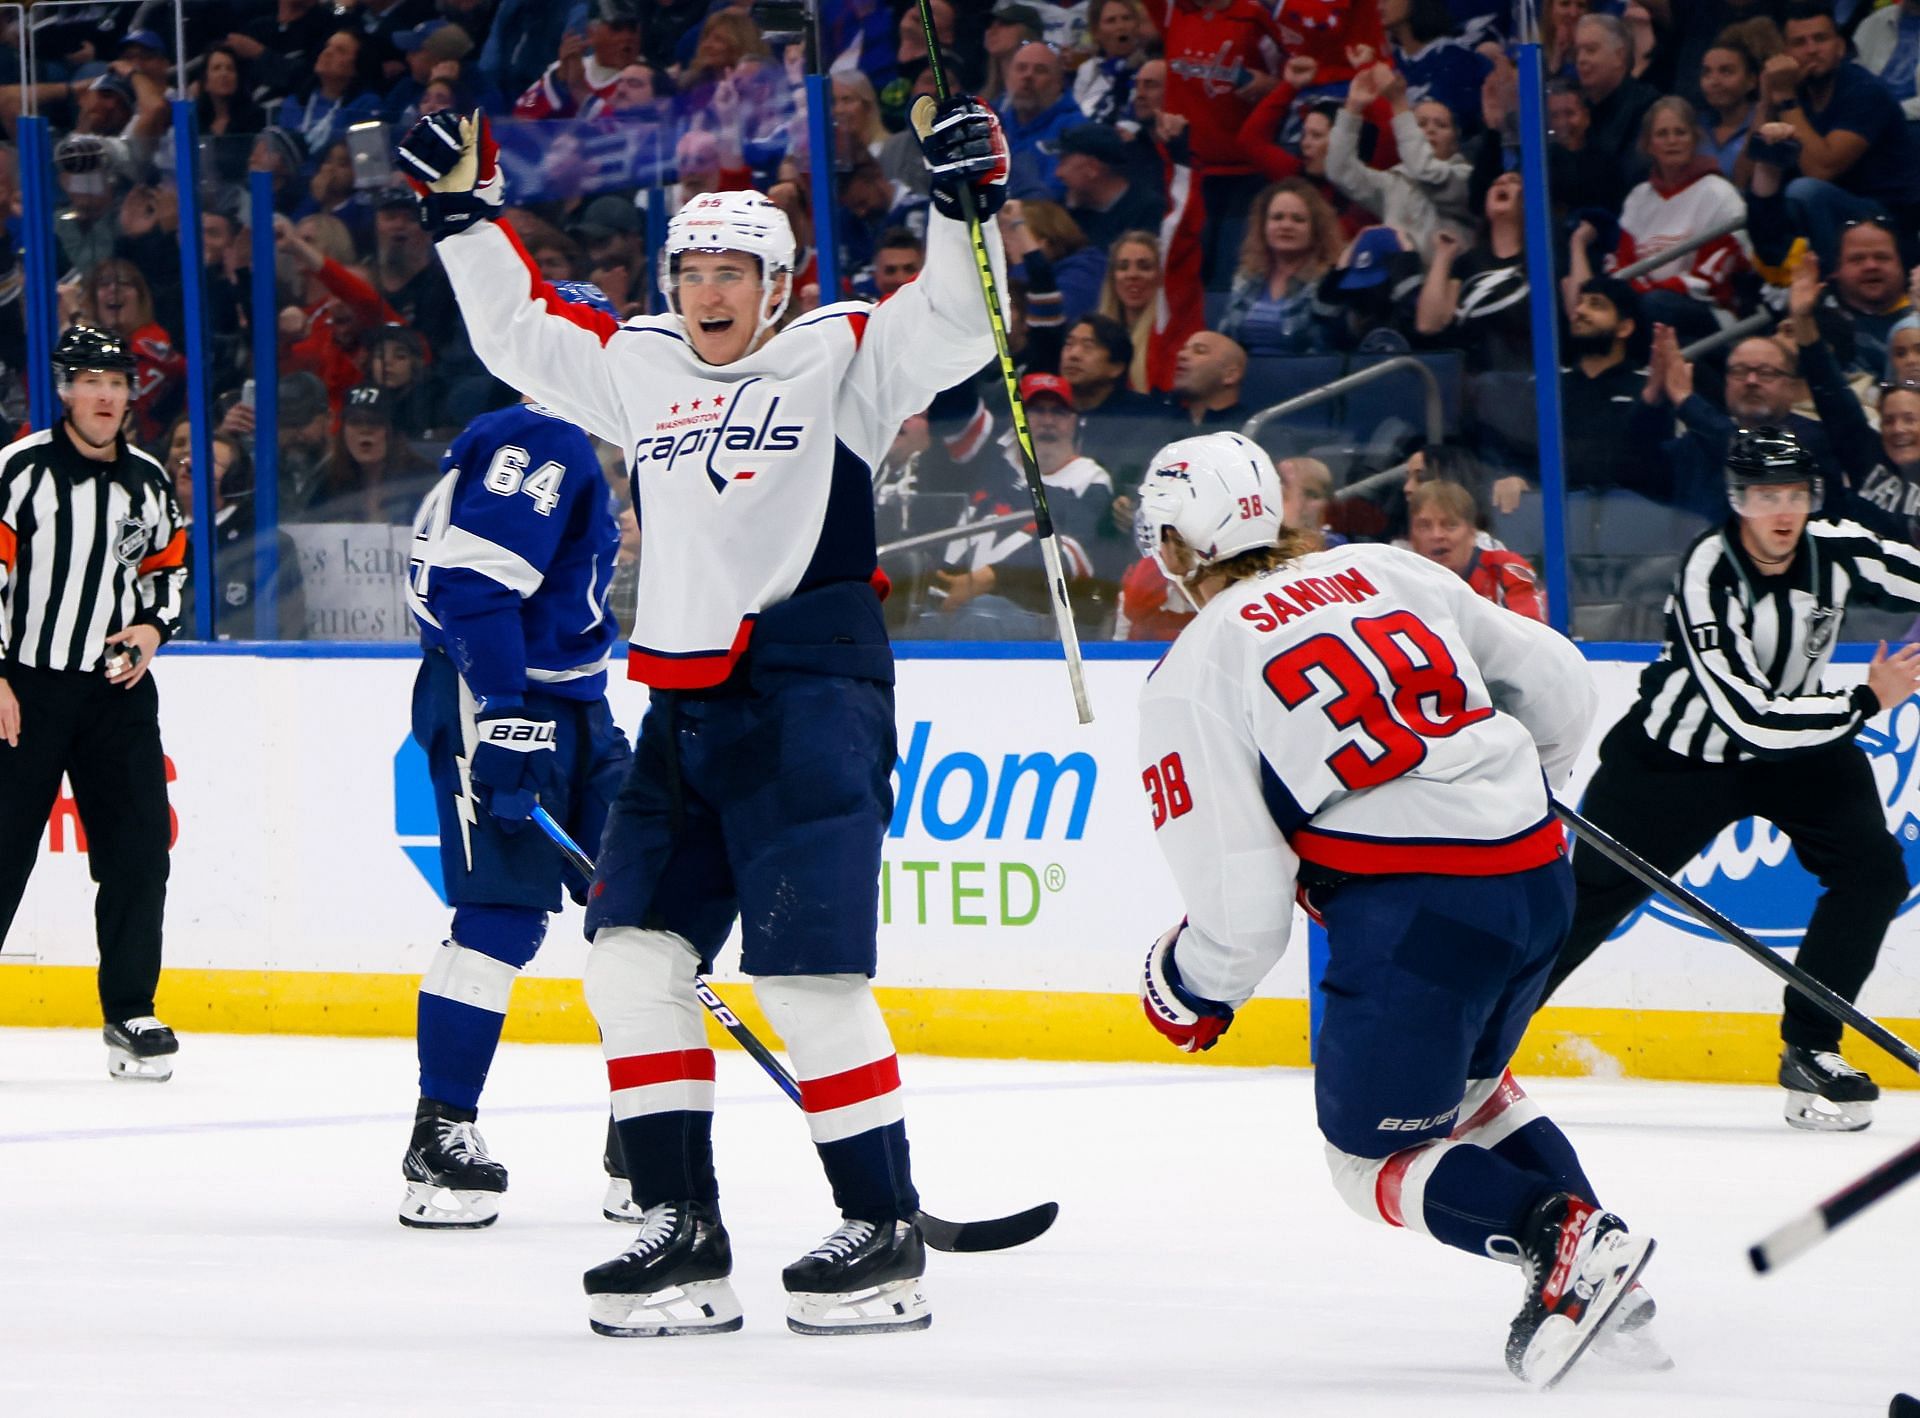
1735, 722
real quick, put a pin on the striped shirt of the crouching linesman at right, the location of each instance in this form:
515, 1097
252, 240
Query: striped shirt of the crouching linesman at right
1742, 669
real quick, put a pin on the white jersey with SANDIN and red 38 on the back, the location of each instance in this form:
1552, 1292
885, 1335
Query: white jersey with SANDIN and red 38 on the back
1362, 713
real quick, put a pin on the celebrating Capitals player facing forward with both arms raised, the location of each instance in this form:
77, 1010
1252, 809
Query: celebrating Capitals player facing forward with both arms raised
761, 778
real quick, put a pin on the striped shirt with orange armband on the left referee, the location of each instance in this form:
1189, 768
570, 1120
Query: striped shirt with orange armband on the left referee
87, 550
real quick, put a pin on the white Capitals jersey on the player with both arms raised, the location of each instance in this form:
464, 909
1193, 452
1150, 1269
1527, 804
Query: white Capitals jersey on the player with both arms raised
754, 479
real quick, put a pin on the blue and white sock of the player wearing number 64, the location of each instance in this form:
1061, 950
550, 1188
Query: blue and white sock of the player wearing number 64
464, 999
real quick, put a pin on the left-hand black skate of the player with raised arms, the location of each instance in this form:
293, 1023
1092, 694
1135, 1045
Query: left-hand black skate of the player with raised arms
671, 1281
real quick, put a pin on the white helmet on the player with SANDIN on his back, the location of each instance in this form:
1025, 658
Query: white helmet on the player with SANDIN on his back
1220, 492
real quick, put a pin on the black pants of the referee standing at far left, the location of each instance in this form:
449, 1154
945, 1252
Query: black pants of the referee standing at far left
107, 742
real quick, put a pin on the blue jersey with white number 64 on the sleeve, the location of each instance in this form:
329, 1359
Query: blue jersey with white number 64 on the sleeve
514, 555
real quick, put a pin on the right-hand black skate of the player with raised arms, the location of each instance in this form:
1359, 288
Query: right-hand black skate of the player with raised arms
863, 1279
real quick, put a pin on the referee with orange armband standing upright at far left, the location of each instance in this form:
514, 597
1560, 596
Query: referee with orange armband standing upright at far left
93, 563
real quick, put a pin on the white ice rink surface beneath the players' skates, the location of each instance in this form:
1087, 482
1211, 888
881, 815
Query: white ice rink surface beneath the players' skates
226, 1244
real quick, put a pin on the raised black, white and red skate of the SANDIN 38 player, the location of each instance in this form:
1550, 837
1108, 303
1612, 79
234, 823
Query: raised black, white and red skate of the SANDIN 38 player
1579, 1265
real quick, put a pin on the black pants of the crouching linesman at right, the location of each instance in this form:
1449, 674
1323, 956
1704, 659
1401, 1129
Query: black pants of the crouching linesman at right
1669, 809
